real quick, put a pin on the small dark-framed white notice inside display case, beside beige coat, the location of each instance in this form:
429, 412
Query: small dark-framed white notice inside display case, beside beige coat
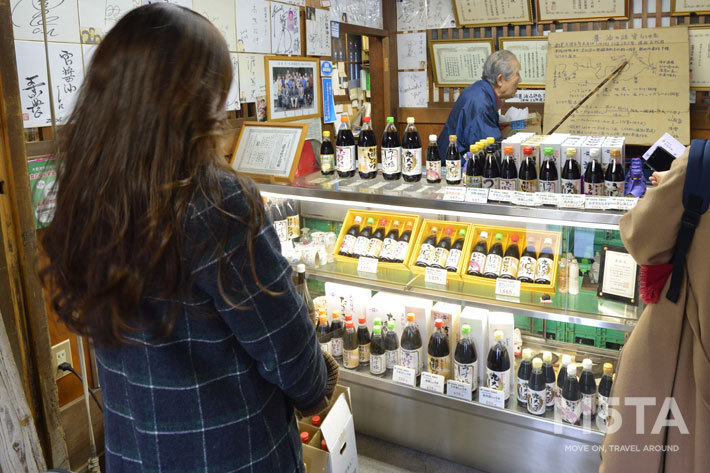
618, 275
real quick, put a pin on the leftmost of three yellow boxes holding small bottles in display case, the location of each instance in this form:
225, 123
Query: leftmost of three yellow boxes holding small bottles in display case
391, 217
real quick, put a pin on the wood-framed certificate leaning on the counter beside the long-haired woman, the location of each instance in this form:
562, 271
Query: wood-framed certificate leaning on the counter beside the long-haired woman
254, 154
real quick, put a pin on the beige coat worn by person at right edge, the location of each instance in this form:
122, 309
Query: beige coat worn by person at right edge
667, 353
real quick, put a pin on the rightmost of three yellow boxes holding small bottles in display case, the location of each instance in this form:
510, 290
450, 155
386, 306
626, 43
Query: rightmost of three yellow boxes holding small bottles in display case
537, 235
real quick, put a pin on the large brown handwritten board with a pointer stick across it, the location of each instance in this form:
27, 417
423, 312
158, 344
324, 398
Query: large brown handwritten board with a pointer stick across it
644, 101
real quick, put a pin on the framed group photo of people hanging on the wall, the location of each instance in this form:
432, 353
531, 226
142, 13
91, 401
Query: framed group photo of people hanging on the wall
292, 88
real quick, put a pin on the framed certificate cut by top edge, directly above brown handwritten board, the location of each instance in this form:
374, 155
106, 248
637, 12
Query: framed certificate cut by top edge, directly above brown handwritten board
556, 10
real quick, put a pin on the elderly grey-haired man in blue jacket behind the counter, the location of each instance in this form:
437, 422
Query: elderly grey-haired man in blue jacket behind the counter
475, 113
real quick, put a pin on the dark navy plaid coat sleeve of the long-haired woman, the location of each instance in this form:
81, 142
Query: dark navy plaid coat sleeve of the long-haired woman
273, 329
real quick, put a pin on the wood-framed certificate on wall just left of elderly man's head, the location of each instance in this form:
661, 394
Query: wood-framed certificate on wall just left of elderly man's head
455, 49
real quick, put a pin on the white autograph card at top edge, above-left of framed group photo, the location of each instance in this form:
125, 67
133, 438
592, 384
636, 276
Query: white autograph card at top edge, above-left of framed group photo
253, 31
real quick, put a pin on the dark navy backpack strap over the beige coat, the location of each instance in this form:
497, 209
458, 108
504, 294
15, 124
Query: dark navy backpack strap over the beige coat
696, 198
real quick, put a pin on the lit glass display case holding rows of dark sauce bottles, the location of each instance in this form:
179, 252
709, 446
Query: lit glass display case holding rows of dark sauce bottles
550, 317
